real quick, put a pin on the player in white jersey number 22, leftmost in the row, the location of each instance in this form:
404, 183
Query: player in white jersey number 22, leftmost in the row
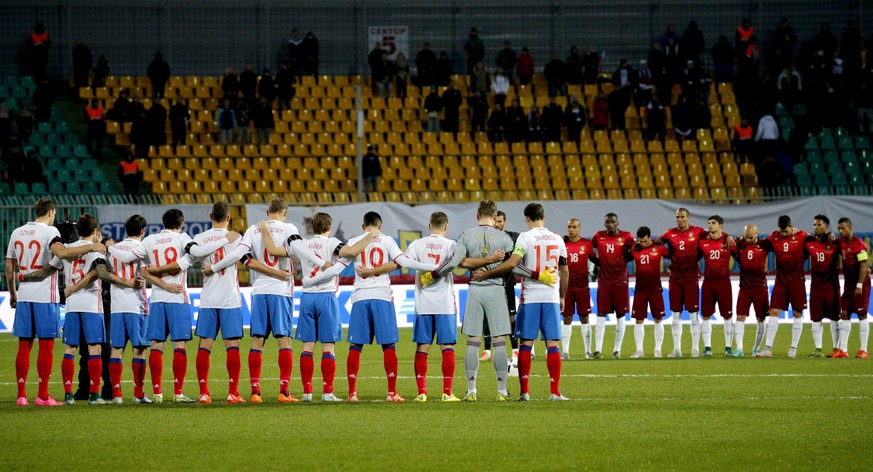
37, 303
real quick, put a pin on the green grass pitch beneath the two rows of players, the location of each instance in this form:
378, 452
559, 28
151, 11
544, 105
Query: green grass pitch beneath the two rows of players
649, 414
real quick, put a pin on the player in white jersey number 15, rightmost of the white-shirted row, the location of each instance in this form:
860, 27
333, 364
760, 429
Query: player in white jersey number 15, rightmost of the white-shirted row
541, 304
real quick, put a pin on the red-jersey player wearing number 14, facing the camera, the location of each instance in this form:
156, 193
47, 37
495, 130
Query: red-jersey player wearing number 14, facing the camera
612, 286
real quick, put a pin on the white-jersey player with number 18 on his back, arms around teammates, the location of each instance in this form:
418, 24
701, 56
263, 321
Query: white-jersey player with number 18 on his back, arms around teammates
170, 313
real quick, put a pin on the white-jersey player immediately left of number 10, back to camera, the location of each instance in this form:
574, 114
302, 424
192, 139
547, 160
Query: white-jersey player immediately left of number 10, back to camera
319, 309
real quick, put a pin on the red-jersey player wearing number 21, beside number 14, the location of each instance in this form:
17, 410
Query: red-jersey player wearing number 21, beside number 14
648, 293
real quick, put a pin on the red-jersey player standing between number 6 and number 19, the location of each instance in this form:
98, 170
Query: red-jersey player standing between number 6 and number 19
790, 287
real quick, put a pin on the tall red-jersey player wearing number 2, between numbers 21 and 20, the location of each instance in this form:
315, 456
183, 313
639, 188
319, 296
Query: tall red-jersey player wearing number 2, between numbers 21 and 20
684, 274
